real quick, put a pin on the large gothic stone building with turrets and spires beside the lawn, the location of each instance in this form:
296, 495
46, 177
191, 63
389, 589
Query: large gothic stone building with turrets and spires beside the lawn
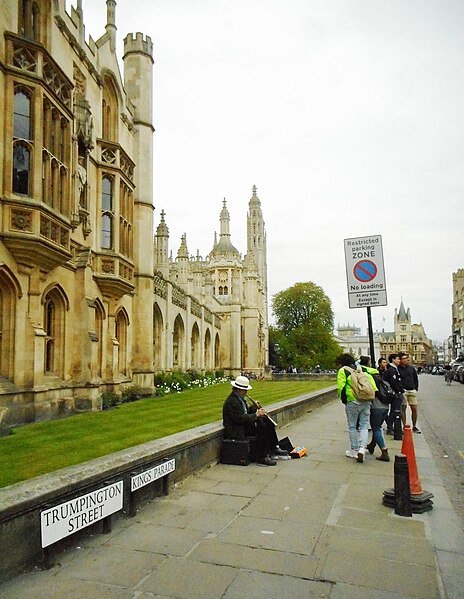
84, 307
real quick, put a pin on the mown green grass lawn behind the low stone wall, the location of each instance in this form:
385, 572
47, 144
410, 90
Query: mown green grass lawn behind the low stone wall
43, 447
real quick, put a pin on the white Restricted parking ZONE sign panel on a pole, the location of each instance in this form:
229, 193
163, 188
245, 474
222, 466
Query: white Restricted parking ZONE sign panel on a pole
365, 273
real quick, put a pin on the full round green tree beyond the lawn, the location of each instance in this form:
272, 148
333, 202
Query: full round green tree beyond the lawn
304, 324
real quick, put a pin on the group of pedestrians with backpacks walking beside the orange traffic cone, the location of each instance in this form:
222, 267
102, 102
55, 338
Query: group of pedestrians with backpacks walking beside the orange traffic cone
394, 385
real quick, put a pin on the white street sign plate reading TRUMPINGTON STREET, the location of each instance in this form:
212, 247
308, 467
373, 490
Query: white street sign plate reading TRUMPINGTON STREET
65, 519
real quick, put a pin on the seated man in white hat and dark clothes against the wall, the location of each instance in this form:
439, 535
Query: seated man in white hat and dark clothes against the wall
240, 419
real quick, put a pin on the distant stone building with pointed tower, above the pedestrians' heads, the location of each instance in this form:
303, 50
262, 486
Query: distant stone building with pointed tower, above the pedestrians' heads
407, 337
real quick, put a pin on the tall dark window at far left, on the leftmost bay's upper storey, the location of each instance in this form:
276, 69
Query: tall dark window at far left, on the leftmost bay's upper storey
22, 145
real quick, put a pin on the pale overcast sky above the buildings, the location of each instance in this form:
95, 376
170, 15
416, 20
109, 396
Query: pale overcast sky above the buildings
346, 114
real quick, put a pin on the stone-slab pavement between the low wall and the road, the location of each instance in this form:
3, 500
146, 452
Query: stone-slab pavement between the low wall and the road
313, 527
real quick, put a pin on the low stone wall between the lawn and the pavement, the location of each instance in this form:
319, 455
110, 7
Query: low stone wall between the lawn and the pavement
21, 504
